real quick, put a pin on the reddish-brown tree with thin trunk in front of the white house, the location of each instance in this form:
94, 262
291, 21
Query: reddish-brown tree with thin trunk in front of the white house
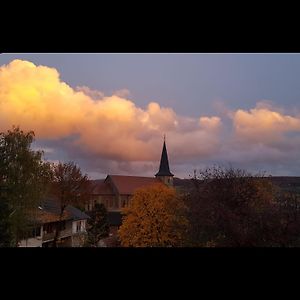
69, 187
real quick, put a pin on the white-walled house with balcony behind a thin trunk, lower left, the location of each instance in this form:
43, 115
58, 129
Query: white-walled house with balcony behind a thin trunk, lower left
47, 221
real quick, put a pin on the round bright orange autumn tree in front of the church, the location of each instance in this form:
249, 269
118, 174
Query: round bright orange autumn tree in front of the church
154, 218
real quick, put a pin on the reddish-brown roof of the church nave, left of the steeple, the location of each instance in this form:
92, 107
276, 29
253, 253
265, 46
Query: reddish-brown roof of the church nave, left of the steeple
126, 185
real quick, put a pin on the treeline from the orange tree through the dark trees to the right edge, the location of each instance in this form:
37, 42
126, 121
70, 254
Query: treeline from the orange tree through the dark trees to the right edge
218, 208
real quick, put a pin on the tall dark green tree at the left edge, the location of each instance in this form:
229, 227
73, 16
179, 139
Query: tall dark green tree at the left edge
24, 178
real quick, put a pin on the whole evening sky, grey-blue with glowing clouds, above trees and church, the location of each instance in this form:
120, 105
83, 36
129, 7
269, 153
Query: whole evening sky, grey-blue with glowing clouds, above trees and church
109, 112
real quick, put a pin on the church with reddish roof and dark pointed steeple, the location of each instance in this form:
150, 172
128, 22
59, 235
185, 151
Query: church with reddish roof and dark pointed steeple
115, 191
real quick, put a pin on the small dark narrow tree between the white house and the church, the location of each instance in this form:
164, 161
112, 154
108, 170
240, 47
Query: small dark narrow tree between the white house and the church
98, 227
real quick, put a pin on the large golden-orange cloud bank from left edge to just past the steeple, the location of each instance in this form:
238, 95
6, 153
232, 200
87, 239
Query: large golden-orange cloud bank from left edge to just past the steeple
110, 127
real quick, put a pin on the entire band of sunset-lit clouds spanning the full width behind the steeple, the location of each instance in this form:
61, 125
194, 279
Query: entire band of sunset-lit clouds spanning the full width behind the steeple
112, 134
